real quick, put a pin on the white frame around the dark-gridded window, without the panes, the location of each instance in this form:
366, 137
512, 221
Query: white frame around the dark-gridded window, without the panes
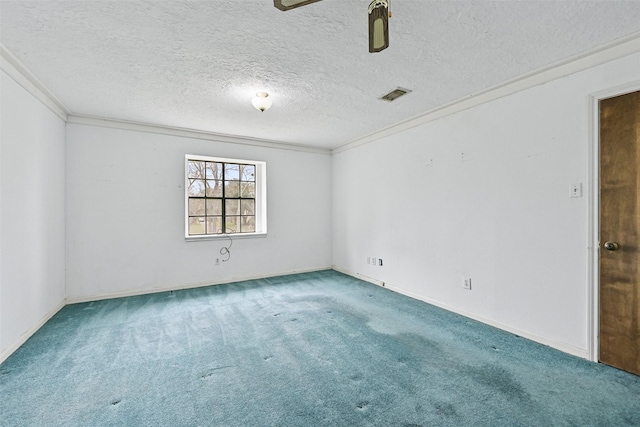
260, 198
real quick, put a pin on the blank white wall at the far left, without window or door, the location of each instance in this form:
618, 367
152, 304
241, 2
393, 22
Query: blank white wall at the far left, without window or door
32, 250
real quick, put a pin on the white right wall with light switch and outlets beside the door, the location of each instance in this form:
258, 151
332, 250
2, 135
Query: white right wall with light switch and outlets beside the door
483, 193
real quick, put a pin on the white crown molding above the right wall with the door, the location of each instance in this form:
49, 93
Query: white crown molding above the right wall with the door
605, 53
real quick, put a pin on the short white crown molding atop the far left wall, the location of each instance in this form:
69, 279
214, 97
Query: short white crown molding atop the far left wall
25, 78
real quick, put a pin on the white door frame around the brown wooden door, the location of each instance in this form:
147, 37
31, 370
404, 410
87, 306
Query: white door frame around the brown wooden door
593, 203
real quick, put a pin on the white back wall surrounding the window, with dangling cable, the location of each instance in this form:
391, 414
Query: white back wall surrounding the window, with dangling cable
125, 214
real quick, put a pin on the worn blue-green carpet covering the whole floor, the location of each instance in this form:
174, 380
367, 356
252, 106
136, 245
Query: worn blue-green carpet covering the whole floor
317, 349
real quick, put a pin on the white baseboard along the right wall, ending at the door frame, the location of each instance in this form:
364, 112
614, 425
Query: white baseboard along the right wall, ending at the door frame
575, 351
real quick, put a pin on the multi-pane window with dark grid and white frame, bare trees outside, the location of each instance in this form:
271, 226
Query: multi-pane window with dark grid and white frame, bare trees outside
224, 196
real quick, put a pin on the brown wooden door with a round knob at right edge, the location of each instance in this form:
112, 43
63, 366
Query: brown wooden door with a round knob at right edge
620, 232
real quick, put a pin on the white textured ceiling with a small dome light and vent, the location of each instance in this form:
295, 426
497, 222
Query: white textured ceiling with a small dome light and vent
197, 64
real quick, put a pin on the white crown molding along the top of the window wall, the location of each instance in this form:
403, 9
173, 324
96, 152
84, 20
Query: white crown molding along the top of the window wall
190, 133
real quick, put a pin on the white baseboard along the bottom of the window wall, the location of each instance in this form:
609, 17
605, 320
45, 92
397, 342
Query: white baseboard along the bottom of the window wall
76, 300
